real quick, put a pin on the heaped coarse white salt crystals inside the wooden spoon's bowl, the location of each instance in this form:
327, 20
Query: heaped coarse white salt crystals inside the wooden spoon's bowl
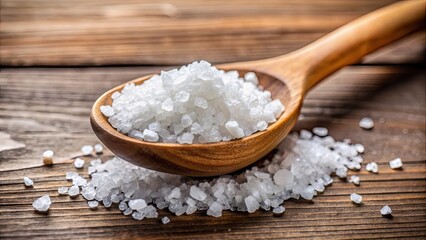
194, 104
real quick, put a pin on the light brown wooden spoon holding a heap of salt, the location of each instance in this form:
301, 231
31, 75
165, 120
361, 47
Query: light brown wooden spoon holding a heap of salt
288, 77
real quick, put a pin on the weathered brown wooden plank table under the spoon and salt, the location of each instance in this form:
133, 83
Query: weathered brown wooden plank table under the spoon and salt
75, 50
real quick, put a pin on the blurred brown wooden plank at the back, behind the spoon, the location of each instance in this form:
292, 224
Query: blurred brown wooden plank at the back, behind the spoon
109, 32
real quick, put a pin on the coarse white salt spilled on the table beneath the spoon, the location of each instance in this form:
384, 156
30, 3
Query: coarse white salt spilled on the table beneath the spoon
301, 168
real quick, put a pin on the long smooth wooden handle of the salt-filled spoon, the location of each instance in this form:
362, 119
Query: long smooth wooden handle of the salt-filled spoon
350, 43
